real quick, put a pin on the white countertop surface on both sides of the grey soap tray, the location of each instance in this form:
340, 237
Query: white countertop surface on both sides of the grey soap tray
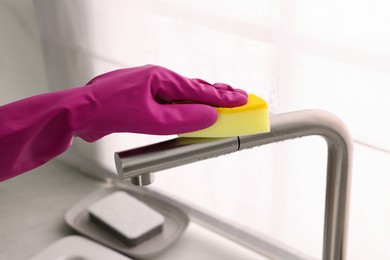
32, 208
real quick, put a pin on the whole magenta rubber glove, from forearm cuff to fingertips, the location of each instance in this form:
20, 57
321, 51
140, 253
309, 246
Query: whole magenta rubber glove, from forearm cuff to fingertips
137, 100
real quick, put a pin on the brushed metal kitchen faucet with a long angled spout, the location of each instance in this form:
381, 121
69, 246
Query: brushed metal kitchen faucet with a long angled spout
138, 165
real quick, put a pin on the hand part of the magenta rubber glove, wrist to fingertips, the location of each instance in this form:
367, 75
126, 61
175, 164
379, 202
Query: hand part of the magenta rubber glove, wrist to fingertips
139, 100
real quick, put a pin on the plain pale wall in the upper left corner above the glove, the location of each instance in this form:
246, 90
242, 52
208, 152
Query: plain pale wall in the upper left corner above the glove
21, 62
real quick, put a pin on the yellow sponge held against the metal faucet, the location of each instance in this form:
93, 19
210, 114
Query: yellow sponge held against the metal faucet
250, 118
